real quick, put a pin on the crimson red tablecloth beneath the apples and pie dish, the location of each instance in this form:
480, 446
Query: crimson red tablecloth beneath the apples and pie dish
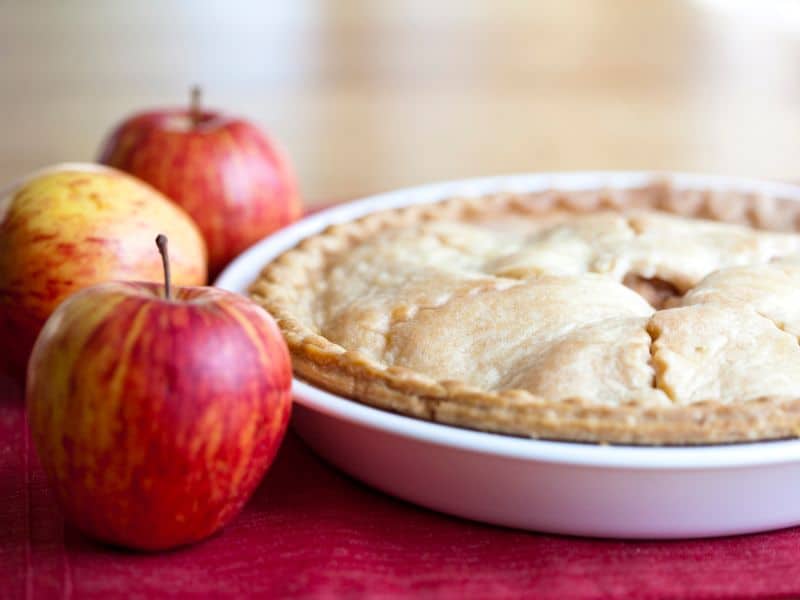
311, 532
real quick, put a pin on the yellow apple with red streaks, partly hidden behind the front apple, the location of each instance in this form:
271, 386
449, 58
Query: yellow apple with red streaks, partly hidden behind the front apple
73, 225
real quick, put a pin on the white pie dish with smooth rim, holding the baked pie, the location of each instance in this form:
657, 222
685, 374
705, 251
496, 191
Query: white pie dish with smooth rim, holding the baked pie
560, 487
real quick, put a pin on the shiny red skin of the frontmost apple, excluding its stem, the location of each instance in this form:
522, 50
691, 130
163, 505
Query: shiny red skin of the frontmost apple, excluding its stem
156, 419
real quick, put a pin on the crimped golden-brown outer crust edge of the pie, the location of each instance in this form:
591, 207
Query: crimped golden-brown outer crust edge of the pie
518, 412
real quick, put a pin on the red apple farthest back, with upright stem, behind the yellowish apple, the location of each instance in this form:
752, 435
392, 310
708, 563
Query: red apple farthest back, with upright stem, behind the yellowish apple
228, 175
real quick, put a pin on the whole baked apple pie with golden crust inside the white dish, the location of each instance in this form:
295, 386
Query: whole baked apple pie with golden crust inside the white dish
652, 315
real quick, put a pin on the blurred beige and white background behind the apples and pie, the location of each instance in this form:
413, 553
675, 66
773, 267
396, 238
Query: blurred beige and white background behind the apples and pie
370, 95
